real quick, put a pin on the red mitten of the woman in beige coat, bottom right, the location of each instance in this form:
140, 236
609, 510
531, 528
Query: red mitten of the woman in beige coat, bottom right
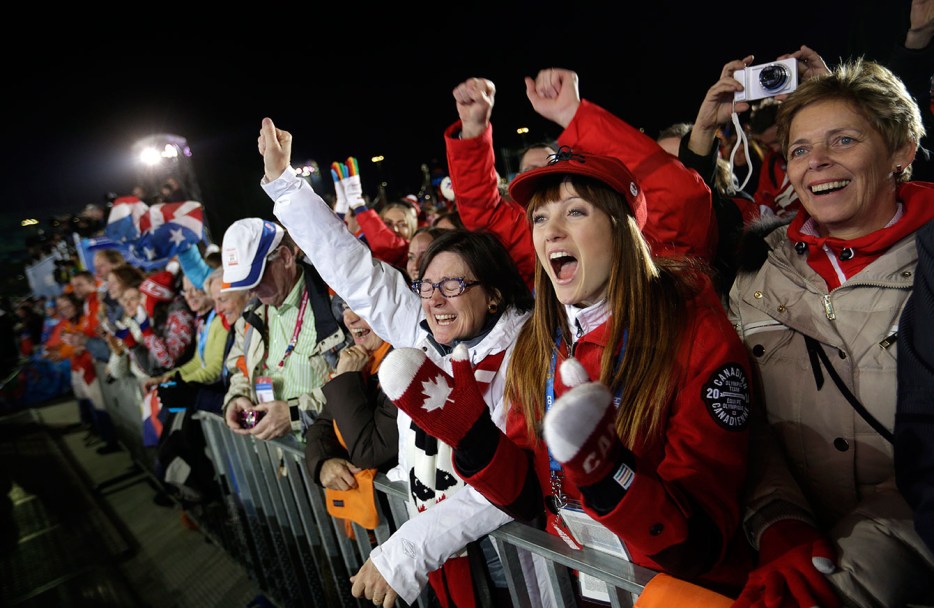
793, 559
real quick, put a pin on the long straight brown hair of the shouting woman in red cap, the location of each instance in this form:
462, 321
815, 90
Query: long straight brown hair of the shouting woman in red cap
646, 299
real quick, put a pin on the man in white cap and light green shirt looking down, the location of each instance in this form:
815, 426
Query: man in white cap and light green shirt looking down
286, 337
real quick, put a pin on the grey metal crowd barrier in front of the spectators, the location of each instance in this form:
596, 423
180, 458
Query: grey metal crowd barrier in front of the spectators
275, 523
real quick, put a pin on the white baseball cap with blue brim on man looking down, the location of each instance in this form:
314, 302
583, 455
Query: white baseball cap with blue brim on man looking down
246, 245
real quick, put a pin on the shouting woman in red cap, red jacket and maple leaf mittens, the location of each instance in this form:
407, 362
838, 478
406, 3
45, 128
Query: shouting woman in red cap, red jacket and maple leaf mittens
642, 443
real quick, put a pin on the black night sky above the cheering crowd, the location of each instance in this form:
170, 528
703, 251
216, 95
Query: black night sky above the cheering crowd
343, 87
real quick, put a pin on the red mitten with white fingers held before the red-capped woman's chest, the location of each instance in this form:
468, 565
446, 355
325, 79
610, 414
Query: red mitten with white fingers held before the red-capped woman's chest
581, 434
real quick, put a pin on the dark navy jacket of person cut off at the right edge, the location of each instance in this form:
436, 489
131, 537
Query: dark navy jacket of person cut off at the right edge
914, 414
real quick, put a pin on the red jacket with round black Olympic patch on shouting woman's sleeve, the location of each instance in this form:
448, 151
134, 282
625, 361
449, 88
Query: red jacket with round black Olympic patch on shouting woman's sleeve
684, 505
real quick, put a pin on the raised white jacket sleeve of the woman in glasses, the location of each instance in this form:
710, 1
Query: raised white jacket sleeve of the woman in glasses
376, 291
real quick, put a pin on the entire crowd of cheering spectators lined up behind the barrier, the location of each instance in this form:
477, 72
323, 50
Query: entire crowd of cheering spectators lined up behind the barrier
714, 344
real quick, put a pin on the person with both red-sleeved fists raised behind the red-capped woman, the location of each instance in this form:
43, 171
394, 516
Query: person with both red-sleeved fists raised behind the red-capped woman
680, 216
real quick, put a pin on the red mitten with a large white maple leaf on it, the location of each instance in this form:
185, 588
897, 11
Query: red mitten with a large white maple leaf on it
445, 407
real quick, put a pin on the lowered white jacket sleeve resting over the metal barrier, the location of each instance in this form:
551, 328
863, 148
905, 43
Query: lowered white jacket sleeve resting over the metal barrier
422, 544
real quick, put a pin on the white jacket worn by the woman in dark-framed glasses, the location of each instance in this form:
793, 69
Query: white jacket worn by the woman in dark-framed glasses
381, 295
